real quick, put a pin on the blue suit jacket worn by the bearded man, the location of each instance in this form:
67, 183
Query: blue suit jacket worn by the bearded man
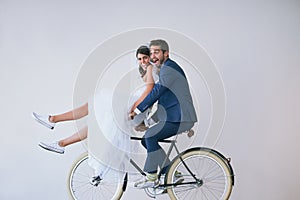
172, 92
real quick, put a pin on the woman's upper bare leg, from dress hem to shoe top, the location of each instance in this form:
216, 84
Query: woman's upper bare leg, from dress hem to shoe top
77, 113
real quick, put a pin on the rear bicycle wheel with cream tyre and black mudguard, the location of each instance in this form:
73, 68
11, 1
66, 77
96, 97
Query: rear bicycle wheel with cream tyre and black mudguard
213, 176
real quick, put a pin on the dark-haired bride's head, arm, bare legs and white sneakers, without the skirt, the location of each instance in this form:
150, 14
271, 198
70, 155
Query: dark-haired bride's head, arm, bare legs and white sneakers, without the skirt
149, 76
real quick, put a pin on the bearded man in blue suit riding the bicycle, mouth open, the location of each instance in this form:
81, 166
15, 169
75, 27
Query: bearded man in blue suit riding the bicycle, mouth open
175, 112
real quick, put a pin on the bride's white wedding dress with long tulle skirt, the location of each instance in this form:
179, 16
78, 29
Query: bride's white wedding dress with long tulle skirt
110, 130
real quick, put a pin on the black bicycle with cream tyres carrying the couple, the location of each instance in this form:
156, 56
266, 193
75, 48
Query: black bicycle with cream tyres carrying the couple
205, 174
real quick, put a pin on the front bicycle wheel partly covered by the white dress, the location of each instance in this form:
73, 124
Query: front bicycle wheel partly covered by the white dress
80, 187
